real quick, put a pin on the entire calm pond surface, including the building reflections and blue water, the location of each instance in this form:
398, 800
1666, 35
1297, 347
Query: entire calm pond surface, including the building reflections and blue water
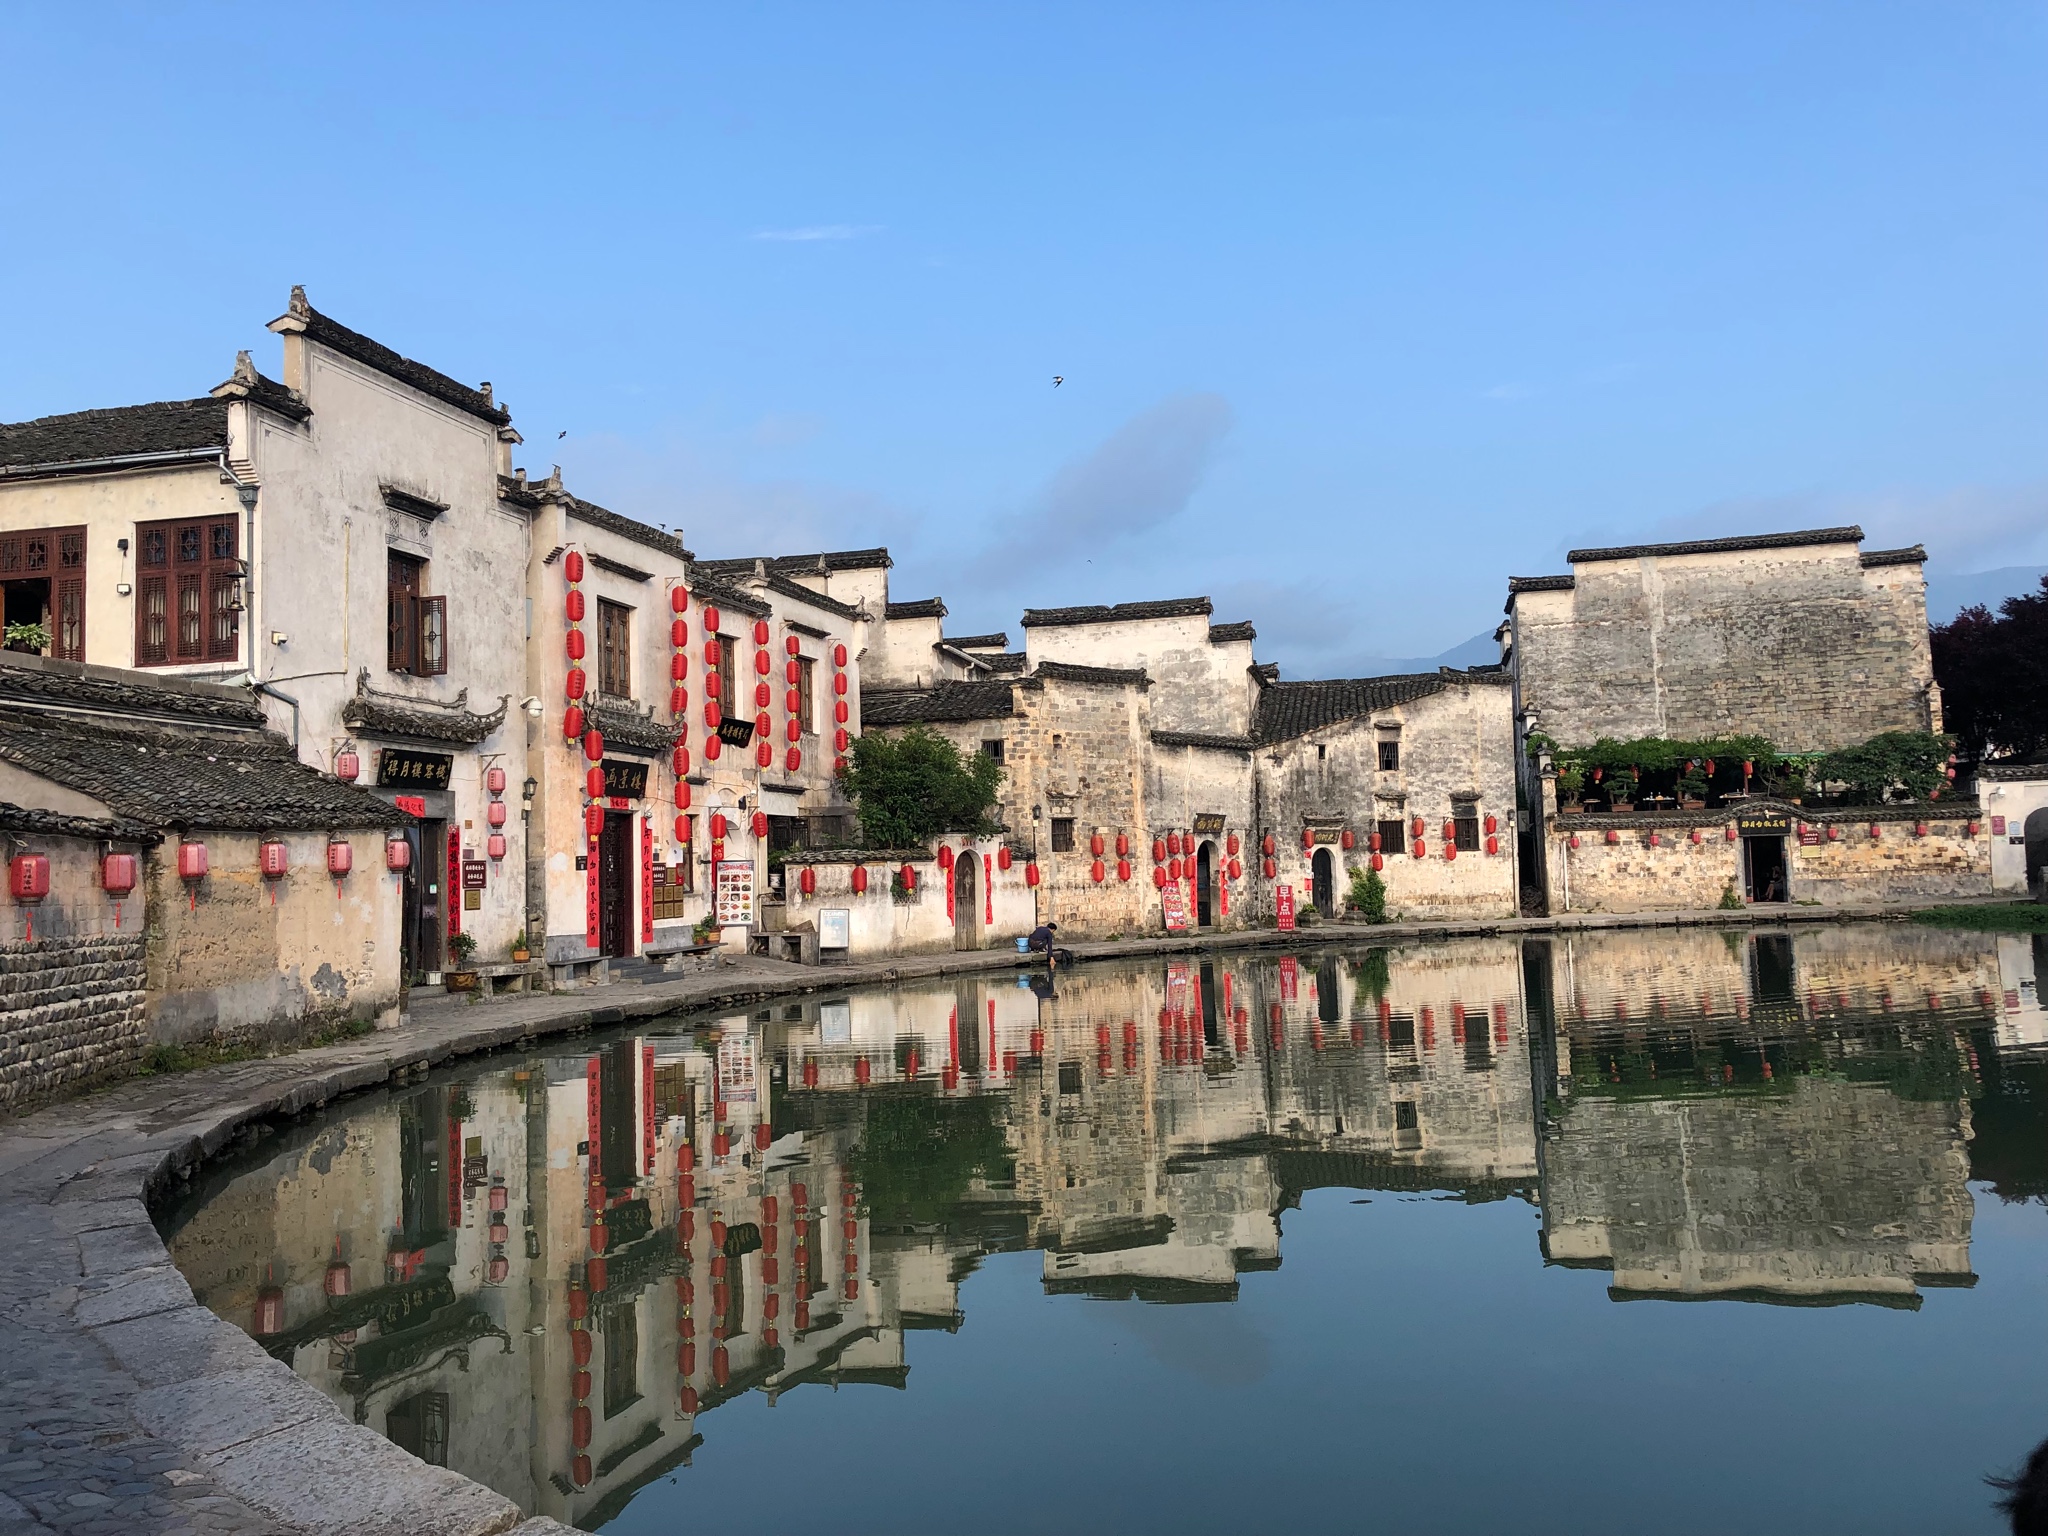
1676, 1232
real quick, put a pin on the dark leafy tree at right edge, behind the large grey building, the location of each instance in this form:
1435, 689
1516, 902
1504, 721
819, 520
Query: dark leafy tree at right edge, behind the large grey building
1994, 675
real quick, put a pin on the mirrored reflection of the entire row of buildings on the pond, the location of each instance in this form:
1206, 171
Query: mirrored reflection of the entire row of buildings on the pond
630, 1238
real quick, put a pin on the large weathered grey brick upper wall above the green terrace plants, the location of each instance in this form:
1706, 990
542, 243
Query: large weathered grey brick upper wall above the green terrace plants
1801, 646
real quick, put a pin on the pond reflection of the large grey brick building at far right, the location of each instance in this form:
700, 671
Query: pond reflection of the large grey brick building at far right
1803, 1136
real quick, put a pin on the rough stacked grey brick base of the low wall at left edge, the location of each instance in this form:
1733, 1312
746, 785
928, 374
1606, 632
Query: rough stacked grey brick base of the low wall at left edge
71, 1011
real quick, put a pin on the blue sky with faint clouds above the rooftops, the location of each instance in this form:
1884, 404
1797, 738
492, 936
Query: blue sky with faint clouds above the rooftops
1359, 308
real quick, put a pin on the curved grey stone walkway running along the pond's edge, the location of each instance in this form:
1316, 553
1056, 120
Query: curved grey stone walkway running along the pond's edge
128, 1408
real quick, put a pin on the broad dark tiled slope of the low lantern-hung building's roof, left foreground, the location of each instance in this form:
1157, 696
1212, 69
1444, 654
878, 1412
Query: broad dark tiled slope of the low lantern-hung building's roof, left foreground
187, 779
